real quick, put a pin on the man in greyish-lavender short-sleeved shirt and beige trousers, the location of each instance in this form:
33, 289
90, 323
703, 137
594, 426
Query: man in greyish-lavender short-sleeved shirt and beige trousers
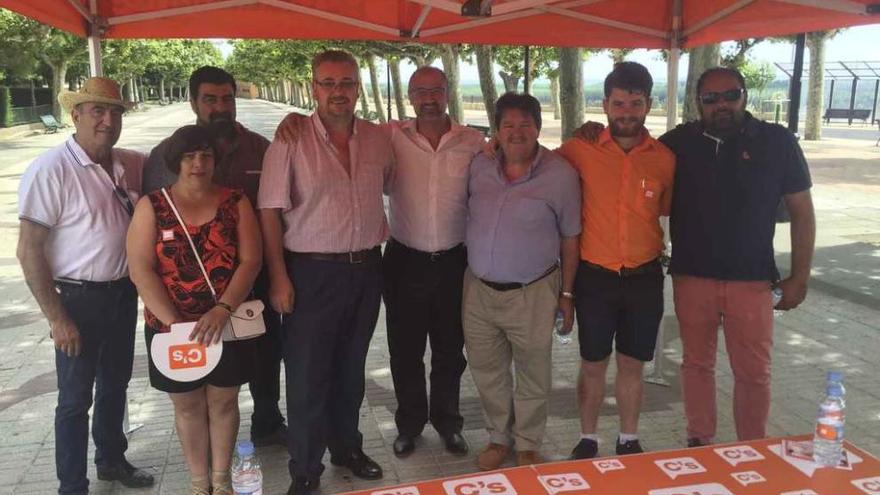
523, 218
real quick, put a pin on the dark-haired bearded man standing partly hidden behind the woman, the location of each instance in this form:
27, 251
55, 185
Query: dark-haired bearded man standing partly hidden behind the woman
239, 164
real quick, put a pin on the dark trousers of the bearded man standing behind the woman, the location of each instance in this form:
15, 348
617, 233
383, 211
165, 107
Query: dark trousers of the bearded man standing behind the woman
265, 386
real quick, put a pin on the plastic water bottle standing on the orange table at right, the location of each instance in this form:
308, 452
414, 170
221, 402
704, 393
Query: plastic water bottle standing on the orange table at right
828, 438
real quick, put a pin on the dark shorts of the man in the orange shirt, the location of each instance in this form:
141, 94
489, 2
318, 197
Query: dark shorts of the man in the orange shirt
624, 309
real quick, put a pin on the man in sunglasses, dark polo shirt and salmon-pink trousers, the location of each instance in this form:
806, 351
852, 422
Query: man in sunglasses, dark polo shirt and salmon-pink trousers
731, 172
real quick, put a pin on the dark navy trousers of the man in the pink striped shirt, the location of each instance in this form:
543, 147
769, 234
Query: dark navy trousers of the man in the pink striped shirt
326, 340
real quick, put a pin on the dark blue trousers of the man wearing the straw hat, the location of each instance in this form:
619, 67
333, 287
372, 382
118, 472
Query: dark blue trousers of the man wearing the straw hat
106, 318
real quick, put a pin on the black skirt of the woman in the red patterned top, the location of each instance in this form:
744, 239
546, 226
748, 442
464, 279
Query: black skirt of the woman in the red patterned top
235, 368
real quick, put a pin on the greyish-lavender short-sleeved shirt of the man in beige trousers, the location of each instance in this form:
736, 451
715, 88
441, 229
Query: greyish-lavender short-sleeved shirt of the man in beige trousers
514, 228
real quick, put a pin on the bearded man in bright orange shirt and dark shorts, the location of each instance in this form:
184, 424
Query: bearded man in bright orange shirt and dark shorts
626, 180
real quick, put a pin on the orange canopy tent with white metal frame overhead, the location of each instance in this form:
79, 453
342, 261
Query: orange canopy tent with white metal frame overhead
671, 24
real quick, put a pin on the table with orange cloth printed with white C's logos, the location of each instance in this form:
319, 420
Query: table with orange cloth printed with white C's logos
744, 468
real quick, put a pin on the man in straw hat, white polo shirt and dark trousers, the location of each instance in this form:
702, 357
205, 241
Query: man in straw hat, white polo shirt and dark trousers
75, 204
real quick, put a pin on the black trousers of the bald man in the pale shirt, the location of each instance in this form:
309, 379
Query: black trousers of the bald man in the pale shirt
422, 296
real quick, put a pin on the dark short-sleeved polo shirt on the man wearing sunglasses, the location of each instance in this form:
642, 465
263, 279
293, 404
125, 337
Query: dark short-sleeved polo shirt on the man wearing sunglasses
726, 192
